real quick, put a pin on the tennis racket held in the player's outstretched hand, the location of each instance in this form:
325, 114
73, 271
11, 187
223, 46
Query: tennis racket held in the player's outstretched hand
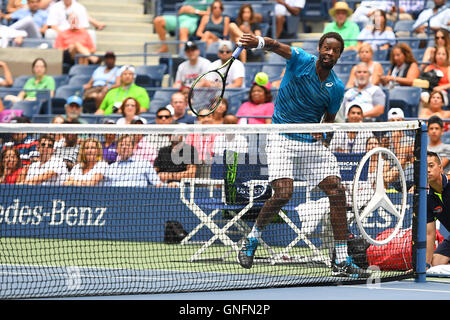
207, 91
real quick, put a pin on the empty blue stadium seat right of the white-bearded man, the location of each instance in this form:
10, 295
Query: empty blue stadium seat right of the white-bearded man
407, 99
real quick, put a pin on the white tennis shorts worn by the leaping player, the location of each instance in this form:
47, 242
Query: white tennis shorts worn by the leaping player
297, 160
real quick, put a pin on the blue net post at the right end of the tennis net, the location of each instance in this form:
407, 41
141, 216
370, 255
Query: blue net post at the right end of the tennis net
422, 209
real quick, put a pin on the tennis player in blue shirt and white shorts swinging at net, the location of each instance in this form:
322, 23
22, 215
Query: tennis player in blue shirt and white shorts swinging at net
310, 92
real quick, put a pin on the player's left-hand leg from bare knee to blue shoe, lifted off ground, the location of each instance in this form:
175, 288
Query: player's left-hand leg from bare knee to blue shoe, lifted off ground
281, 194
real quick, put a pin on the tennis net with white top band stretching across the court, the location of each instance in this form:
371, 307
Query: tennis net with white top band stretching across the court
133, 209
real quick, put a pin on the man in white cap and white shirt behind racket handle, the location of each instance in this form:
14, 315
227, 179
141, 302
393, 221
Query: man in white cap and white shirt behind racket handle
236, 74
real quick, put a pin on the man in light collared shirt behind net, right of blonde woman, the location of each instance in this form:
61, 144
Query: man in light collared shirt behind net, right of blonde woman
130, 172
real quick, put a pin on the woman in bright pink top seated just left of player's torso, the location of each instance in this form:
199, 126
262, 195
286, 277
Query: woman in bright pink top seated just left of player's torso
259, 104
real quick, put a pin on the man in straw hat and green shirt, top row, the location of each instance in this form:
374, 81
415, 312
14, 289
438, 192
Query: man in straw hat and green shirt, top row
342, 25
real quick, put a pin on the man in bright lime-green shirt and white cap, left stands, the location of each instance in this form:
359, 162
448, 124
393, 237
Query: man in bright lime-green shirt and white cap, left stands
114, 97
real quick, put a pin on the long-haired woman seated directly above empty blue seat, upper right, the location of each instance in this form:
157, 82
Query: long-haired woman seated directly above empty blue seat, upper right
404, 68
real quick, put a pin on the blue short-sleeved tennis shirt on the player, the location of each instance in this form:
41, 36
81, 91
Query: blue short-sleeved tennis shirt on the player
302, 97
